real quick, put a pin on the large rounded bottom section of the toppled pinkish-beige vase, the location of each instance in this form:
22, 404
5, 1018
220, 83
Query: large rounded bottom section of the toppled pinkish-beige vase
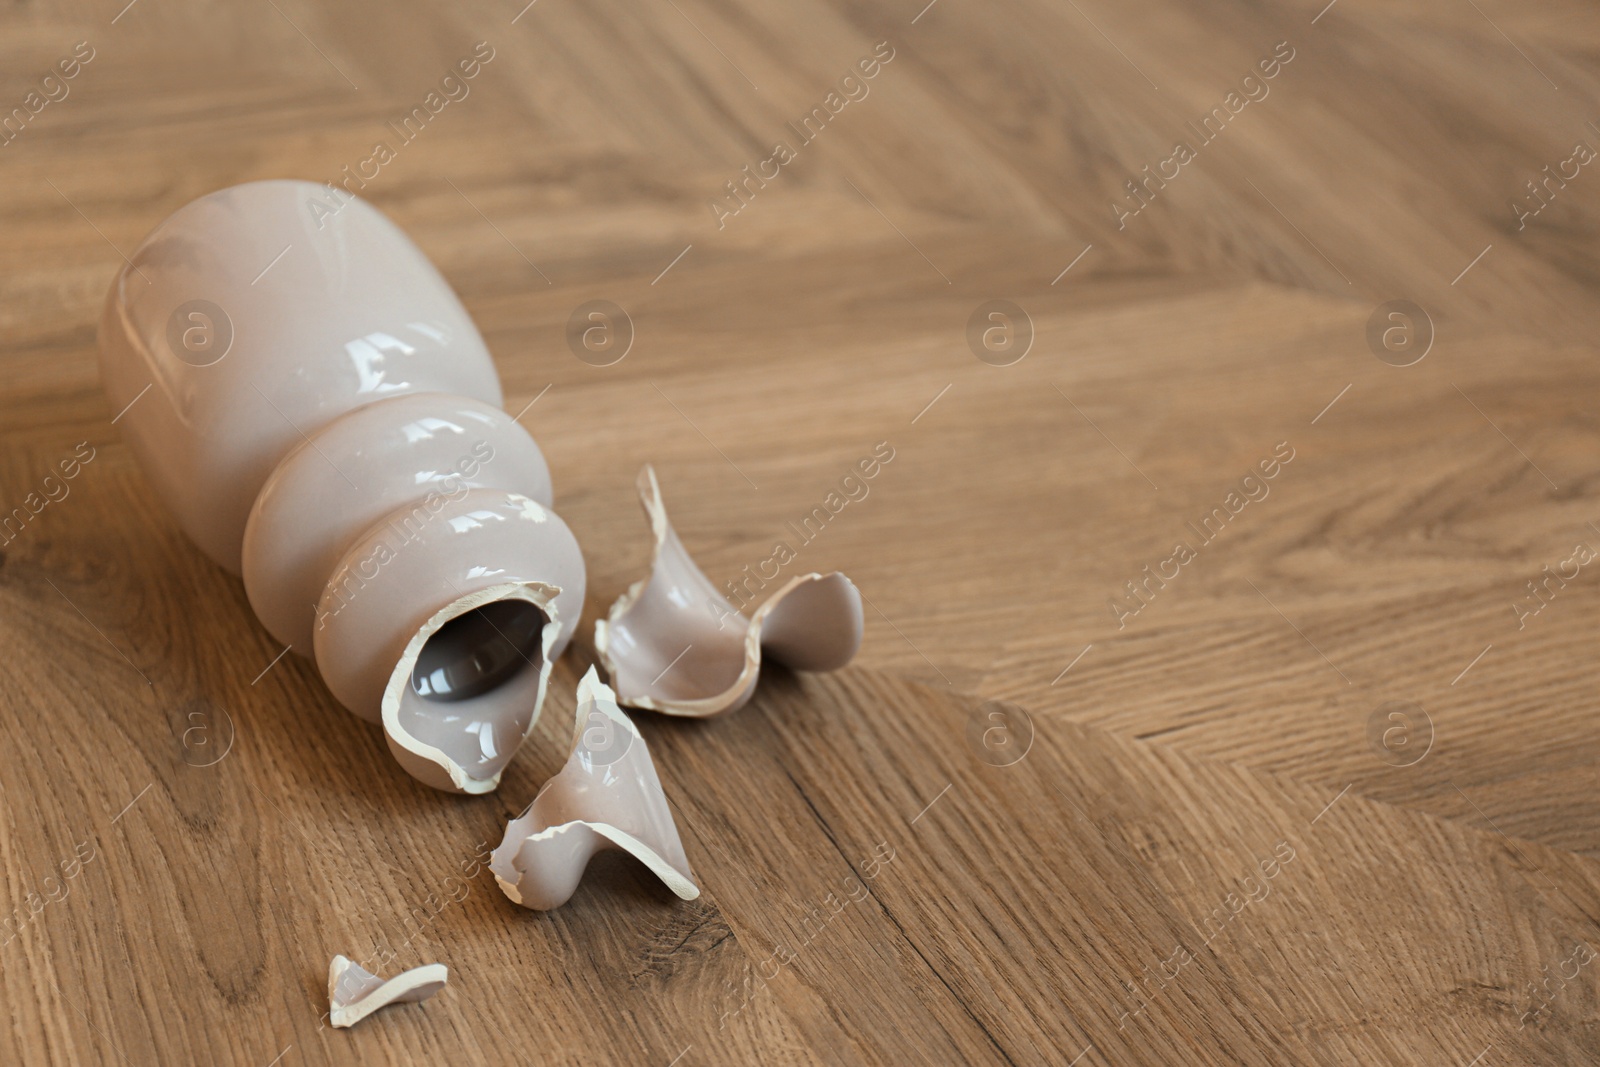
246, 324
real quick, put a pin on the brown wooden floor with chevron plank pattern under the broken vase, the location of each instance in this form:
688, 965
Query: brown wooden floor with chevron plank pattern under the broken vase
1327, 796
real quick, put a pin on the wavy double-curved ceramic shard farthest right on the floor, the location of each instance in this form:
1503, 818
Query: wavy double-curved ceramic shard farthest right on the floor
674, 644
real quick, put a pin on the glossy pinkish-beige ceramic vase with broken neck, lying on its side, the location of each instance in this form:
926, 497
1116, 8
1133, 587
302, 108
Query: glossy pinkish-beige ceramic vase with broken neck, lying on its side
313, 402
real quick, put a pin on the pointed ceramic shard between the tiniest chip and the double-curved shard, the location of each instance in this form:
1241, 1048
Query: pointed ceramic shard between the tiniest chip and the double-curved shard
607, 796
